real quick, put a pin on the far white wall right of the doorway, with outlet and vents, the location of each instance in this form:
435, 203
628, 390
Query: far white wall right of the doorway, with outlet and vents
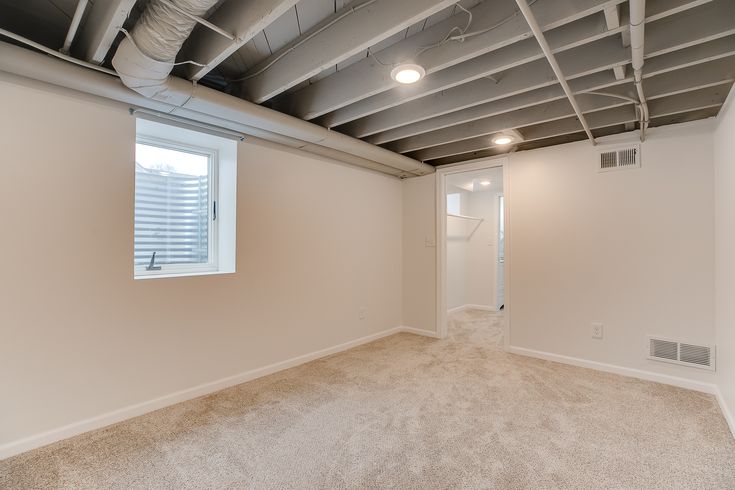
633, 249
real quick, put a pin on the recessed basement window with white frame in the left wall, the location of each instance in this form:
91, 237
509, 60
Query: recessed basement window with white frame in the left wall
184, 202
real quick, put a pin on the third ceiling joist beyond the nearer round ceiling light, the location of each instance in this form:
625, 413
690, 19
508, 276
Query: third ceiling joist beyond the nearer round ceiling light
665, 63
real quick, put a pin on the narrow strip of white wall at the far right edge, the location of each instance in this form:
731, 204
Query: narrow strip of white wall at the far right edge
724, 155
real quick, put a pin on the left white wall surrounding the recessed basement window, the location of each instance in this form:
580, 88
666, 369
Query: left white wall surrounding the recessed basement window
79, 337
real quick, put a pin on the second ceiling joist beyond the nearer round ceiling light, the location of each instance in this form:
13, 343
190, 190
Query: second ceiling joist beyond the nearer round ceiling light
589, 58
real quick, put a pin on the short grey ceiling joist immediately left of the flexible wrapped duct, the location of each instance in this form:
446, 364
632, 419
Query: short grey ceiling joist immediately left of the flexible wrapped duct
104, 20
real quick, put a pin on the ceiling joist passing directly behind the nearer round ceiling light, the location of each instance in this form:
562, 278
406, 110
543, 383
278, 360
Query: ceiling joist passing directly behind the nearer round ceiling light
583, 31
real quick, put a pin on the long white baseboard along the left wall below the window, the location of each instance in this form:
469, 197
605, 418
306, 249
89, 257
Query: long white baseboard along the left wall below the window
103, 420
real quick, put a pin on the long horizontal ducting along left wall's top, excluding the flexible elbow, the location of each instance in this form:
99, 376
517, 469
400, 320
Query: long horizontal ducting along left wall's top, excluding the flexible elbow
215, 108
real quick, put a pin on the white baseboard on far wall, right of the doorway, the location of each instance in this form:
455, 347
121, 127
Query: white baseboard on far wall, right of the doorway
623, 371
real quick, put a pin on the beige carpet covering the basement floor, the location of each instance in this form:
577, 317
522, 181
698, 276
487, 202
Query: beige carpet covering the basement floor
408, 412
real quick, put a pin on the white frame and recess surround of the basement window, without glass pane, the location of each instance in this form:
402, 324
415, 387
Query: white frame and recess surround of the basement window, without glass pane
221, 231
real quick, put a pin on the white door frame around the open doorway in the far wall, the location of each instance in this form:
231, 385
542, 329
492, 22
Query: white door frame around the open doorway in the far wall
441, 242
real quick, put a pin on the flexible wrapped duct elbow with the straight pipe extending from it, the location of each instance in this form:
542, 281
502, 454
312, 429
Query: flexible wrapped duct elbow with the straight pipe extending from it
144, 62
